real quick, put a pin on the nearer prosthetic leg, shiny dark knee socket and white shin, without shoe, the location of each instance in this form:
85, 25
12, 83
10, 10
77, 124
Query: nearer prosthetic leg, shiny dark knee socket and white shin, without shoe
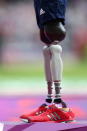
56, 32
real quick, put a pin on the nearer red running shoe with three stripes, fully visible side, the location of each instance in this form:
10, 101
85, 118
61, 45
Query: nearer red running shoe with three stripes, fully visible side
54, 114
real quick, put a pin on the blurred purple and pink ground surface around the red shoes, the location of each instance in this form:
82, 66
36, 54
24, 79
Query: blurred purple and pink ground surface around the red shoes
11, 107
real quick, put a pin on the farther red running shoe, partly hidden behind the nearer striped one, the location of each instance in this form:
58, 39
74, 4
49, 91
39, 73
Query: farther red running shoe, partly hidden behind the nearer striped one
36, 112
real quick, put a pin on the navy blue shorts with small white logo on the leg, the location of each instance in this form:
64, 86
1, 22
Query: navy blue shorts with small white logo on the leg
47, 10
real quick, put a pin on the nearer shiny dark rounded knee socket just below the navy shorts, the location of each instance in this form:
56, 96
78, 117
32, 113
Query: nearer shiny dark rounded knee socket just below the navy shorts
55, 31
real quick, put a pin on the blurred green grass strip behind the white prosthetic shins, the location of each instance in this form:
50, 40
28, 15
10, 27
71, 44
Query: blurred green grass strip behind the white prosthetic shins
30, 71
